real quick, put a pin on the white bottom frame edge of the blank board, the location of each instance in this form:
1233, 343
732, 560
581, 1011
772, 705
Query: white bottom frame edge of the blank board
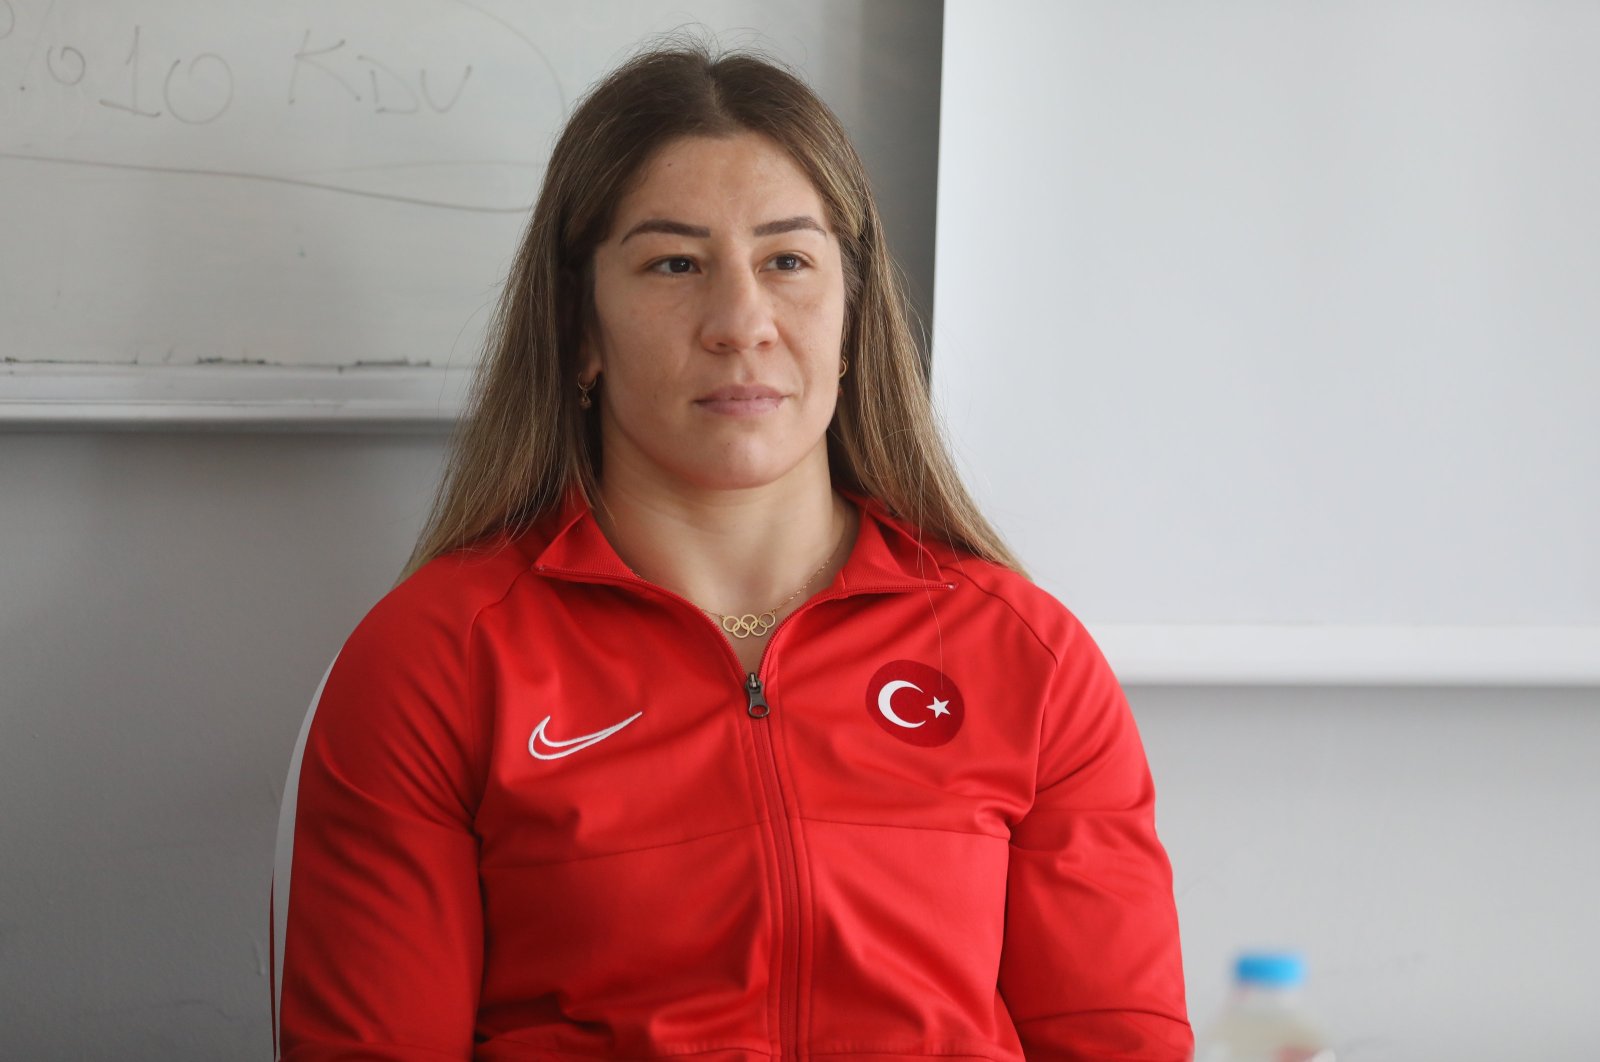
1310, 655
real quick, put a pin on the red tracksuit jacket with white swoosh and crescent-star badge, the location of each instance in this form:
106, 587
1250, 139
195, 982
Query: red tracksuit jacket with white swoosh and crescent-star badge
540, 812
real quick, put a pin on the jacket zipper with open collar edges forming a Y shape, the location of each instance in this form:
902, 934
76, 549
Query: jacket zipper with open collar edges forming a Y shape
772, 780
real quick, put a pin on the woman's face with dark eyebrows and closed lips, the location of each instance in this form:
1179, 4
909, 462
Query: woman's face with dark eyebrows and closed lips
721, 313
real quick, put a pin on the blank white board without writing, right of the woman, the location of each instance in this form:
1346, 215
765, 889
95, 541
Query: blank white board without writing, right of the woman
1270, 337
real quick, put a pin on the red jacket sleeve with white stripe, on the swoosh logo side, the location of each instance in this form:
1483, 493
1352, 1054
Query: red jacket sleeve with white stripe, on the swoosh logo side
383, 936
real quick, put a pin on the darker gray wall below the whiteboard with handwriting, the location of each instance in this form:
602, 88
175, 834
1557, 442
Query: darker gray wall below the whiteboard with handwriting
167, 605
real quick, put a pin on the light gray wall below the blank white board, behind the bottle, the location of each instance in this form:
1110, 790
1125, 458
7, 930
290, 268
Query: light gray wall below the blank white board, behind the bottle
1430, 850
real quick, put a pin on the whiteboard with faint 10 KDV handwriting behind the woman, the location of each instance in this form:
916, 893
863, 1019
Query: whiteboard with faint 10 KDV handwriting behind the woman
295, 212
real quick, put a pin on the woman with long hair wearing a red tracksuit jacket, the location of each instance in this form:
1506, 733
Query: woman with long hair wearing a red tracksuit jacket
713, 719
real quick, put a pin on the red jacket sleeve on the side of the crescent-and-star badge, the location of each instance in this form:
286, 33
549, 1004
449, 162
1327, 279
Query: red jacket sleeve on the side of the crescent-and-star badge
1092, 965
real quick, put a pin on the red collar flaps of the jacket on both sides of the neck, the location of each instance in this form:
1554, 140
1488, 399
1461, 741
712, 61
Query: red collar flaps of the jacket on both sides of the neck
887, 556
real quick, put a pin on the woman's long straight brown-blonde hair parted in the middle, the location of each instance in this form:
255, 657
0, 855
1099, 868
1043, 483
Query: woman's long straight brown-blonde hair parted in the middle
526, 442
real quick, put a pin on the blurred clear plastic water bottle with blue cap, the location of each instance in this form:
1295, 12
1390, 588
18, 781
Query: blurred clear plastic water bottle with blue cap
1263, 1020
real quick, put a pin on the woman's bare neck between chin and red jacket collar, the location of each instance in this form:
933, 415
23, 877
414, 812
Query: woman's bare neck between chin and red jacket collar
730, 551
